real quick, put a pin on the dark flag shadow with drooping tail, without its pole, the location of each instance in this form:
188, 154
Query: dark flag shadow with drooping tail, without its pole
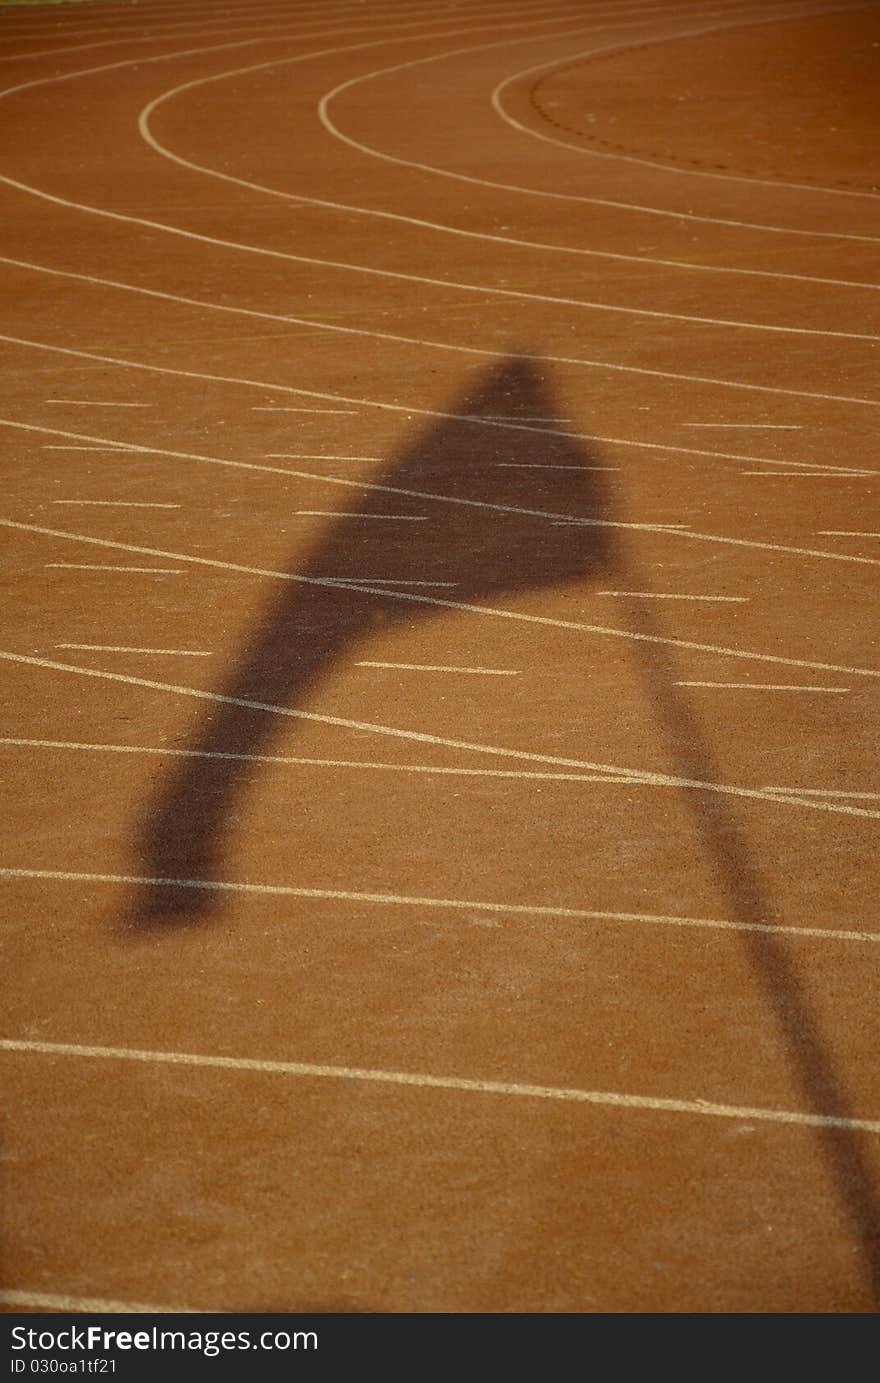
489, 547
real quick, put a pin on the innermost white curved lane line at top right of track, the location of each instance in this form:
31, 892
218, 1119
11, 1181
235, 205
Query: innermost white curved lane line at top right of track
658, 164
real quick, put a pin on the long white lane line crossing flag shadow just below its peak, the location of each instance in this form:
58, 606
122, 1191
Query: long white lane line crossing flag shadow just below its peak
410, 411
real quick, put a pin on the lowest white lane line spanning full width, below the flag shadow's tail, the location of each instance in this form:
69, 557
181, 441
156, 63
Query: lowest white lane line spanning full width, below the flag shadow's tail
615, 1099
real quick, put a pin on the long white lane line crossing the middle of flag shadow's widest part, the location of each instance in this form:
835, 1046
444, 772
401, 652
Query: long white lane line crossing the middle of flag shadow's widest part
457, 500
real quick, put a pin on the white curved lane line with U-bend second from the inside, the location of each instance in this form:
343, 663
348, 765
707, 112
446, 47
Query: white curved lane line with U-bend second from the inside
513, 187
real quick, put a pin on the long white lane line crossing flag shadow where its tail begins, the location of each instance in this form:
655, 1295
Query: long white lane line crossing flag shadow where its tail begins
446, 605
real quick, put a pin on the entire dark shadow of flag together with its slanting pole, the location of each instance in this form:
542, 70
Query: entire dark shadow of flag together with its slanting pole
486, 553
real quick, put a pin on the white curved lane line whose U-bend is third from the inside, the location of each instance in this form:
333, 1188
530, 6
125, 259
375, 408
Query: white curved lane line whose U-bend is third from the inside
147, 135
